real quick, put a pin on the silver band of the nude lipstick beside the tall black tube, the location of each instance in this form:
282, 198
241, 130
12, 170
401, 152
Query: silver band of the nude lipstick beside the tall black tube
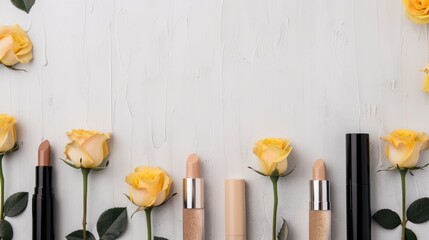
320, 198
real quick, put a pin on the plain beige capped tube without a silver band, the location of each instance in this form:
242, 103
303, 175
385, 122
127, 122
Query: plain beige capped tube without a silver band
235, 209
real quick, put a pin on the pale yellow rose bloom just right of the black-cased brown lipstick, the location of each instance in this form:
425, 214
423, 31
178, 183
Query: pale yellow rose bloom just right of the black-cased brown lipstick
87, 149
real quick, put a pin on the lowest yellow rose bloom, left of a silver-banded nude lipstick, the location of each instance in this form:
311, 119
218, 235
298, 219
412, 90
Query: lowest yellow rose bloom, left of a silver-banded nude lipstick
149, 187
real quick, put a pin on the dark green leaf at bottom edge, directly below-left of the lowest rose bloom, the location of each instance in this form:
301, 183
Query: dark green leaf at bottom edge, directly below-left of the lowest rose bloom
112, 223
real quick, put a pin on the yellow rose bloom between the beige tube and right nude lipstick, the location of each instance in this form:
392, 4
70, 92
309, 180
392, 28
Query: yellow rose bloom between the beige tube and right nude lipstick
272, 154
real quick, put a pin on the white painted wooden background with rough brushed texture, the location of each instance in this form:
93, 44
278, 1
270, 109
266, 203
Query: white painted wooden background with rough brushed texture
172, 77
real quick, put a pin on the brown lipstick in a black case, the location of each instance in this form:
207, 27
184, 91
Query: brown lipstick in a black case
43, 198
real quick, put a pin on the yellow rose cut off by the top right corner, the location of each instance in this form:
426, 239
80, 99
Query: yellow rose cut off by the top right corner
417, 10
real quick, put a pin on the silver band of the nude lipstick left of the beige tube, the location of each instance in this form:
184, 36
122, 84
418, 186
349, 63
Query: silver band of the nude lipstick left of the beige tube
193, 193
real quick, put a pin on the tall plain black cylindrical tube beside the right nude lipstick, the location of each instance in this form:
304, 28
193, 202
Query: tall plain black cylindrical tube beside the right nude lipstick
358, 187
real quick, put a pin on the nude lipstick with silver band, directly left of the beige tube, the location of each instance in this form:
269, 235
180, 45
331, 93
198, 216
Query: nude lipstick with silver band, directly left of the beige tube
193, 200
